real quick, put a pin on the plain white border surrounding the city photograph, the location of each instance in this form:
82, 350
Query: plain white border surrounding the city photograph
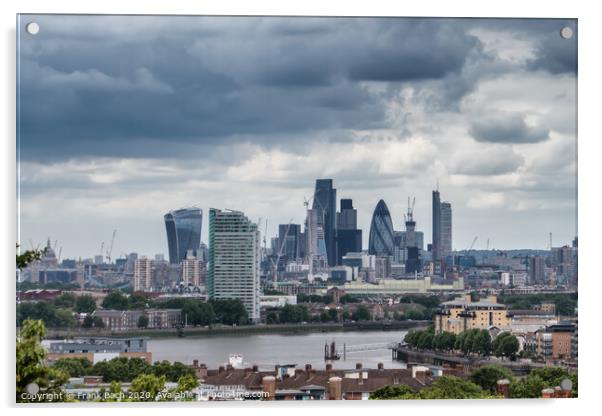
590, 71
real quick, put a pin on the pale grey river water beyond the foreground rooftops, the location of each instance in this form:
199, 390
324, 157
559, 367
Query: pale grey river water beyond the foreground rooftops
266, 350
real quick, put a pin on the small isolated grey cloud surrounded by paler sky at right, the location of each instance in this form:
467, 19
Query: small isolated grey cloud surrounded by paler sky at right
507, 129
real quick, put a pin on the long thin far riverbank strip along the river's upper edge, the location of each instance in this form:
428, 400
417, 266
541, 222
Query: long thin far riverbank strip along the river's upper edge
240, 330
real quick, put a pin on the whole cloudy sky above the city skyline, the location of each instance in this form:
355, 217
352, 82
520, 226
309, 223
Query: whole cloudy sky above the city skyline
123, 118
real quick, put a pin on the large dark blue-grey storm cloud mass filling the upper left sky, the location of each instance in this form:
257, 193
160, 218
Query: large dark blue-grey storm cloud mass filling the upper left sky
206, 81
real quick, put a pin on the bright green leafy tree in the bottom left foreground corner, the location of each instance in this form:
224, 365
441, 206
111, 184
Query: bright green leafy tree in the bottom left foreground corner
31, 367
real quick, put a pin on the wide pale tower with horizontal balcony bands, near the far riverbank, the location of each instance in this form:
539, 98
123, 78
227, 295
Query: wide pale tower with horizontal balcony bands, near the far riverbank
234, 257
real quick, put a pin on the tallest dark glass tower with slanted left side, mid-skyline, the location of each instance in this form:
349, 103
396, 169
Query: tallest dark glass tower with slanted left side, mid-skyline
325, 199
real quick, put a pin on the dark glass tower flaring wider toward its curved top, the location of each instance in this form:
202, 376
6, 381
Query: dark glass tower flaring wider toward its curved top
183, 228
